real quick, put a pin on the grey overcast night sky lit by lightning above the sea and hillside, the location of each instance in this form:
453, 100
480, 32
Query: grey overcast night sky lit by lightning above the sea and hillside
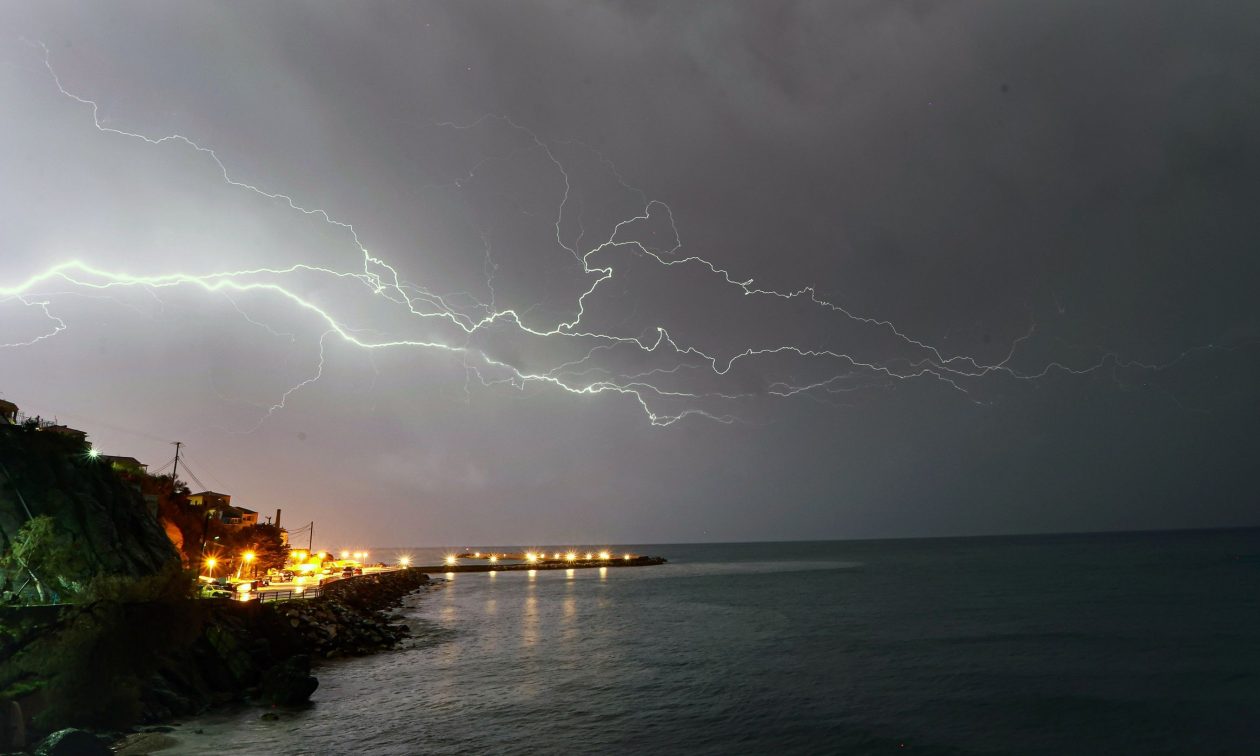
1030, 230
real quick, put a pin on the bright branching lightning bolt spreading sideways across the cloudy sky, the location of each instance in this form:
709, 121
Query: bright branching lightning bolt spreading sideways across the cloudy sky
662, 404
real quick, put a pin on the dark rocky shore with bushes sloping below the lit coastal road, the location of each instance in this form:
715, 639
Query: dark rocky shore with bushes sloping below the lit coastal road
113, 666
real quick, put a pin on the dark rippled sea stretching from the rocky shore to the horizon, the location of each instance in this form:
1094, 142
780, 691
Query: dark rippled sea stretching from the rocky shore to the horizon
1067, 644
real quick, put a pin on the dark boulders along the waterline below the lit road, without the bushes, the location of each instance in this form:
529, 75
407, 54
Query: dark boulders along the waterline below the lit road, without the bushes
241, 652
